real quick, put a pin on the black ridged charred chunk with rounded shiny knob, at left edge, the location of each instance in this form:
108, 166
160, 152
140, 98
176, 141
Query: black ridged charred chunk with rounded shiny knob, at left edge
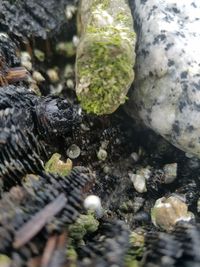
24, 119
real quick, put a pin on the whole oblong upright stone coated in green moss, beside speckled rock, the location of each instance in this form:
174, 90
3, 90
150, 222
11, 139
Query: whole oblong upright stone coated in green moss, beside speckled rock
105, 55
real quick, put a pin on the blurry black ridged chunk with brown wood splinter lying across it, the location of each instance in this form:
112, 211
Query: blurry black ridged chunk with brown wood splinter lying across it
47, 202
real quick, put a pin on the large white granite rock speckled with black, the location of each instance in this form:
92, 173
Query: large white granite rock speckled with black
166, 92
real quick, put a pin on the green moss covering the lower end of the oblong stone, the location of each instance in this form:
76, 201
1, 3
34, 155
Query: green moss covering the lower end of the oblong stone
109, 74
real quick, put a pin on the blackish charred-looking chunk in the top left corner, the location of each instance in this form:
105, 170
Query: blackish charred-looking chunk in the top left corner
33, 18
